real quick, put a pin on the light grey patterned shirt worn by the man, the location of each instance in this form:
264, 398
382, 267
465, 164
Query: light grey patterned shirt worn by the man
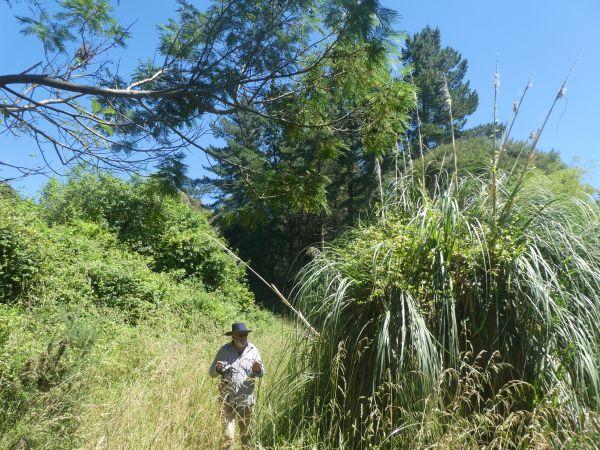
237, 378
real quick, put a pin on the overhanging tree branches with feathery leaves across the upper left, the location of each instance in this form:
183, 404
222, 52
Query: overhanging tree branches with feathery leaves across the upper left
233, 56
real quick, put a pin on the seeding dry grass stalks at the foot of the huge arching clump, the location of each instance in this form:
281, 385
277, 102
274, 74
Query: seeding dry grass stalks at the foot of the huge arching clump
458, 413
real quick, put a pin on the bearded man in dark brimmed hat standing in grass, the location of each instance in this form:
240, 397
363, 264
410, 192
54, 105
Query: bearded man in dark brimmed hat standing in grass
239, 364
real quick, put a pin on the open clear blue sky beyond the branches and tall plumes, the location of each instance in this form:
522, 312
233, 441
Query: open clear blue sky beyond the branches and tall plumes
532, 38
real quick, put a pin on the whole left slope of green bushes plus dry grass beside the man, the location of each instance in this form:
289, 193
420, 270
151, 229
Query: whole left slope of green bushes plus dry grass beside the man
113, 297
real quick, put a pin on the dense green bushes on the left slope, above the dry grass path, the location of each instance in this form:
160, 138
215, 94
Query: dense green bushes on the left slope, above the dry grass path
98, 258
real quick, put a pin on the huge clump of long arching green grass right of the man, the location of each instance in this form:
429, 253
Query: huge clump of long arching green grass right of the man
400, 303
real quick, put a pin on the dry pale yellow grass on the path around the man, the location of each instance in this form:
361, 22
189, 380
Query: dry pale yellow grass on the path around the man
168, 401
